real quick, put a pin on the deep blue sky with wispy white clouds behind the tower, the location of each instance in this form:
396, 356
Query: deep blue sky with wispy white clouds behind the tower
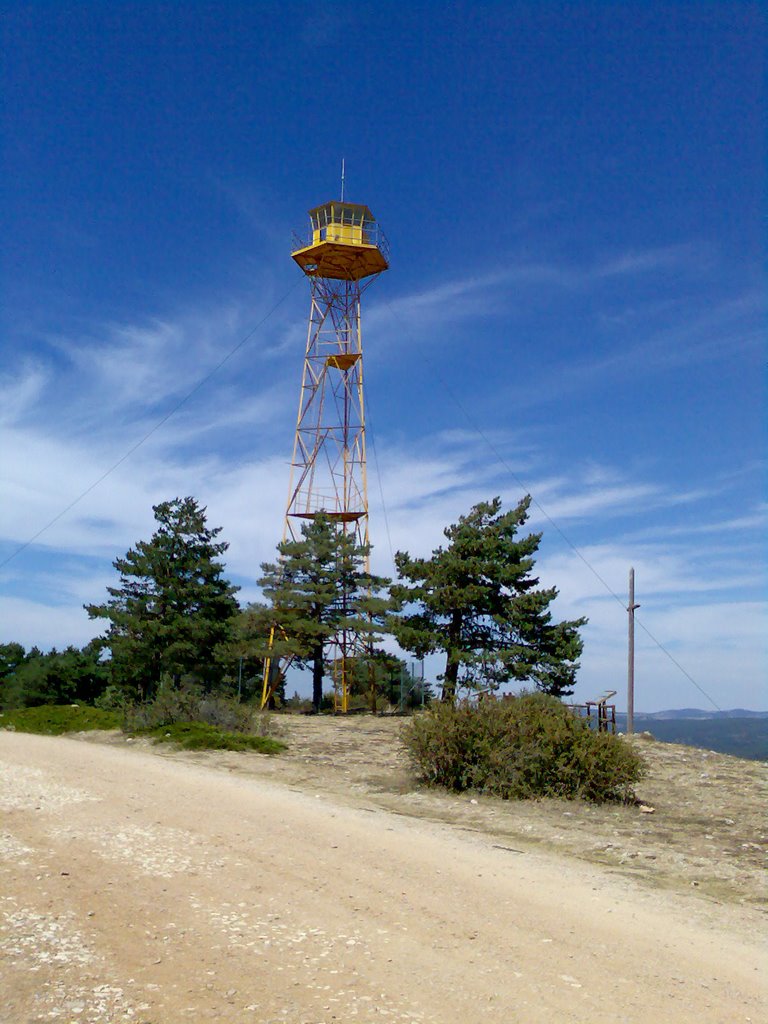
576, 306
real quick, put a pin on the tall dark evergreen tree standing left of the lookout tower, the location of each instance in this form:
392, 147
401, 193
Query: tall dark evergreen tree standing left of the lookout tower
174, 607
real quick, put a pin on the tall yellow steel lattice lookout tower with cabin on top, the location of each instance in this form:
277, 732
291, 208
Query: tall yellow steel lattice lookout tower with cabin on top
345, 252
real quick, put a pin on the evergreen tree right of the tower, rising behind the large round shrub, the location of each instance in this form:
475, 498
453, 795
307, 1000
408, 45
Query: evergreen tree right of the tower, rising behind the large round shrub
478, 602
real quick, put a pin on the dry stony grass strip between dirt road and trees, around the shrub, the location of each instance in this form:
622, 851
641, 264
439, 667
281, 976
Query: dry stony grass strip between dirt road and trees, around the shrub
708, 830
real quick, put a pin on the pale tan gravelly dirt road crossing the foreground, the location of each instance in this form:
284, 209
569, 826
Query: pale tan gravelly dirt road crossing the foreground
145, 889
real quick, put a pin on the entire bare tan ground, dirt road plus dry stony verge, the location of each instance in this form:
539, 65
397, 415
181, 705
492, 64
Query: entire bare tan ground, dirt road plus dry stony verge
139, 884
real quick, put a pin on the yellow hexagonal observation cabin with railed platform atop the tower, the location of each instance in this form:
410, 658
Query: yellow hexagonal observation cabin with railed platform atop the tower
347, 243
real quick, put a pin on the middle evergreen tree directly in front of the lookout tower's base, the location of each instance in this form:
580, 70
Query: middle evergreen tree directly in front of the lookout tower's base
318, 589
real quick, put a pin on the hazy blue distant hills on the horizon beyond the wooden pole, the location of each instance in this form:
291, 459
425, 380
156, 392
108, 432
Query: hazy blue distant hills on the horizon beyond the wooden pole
742, 734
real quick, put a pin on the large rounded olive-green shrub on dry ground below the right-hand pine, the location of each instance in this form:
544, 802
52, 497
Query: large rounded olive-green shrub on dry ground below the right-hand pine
522, 748
